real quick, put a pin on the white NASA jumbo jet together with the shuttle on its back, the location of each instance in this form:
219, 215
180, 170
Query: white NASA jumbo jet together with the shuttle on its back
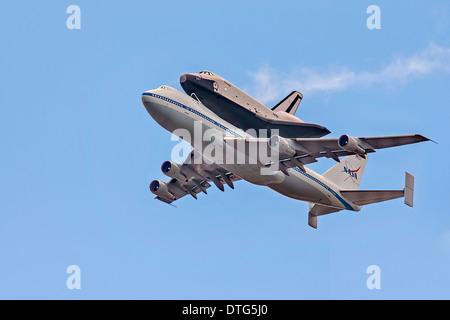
264, 147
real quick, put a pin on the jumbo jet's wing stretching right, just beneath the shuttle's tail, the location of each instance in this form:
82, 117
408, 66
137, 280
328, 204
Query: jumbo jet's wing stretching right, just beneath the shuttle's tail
300, 151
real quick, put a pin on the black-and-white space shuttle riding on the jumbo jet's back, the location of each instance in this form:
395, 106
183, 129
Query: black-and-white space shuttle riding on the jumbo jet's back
240, 109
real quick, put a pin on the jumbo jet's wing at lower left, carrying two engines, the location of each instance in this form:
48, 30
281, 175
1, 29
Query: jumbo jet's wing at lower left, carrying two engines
196, 178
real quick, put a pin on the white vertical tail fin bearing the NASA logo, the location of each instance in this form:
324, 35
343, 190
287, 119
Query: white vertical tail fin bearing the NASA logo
347, 173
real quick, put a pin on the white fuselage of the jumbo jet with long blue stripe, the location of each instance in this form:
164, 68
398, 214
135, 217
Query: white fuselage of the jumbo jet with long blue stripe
173, 110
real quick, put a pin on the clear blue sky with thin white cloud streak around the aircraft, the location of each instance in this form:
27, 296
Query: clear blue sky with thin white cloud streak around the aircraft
79, 150
